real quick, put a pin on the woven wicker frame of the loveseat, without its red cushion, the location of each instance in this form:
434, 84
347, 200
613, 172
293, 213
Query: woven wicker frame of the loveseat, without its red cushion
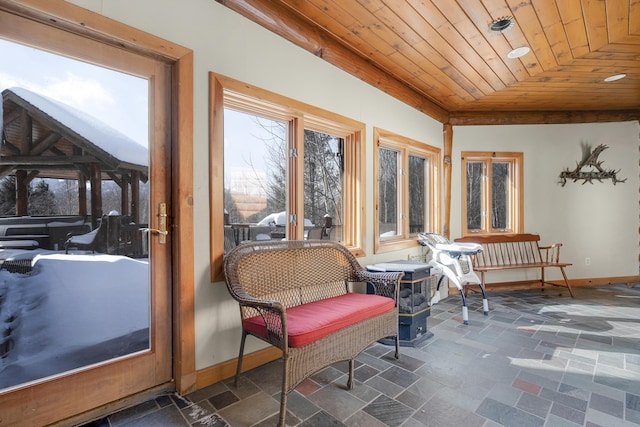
268, 277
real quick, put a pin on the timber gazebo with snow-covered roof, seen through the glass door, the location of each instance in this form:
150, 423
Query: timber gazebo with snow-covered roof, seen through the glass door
48, 139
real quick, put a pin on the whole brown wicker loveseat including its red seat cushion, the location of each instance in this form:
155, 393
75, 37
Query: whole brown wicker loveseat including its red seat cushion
295, 296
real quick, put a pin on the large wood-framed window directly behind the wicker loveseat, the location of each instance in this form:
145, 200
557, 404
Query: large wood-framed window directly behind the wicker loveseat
281, 169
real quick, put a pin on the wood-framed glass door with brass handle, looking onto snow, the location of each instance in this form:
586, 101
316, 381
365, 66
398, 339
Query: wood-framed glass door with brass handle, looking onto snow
85, 314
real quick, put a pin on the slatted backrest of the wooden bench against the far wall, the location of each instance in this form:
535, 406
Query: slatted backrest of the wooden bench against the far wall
505, 250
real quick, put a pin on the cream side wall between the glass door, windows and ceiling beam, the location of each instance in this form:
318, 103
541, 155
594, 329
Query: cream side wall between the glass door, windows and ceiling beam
226, 43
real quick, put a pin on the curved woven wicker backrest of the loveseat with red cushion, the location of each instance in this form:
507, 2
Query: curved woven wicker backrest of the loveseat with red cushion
293, 272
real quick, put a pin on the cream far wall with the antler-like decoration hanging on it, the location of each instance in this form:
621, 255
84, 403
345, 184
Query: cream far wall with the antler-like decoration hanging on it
597, 221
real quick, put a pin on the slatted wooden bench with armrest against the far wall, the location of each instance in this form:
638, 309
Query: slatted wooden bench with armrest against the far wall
513, 251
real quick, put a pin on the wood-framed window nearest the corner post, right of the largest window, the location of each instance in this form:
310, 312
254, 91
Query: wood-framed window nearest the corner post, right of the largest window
406, 191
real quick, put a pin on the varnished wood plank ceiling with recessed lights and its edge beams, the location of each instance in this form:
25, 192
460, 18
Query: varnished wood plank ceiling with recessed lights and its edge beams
441, 57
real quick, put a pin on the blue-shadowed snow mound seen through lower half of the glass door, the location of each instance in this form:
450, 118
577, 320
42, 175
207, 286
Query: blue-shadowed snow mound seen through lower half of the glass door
70, 311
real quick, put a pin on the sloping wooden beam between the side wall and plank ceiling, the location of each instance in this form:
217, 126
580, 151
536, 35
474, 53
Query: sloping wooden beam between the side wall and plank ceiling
298, 31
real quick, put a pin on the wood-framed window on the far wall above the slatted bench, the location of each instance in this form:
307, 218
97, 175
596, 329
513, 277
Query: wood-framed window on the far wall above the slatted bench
492, 192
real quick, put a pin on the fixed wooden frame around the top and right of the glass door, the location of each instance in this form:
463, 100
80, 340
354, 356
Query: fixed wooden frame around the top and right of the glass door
82, 22
